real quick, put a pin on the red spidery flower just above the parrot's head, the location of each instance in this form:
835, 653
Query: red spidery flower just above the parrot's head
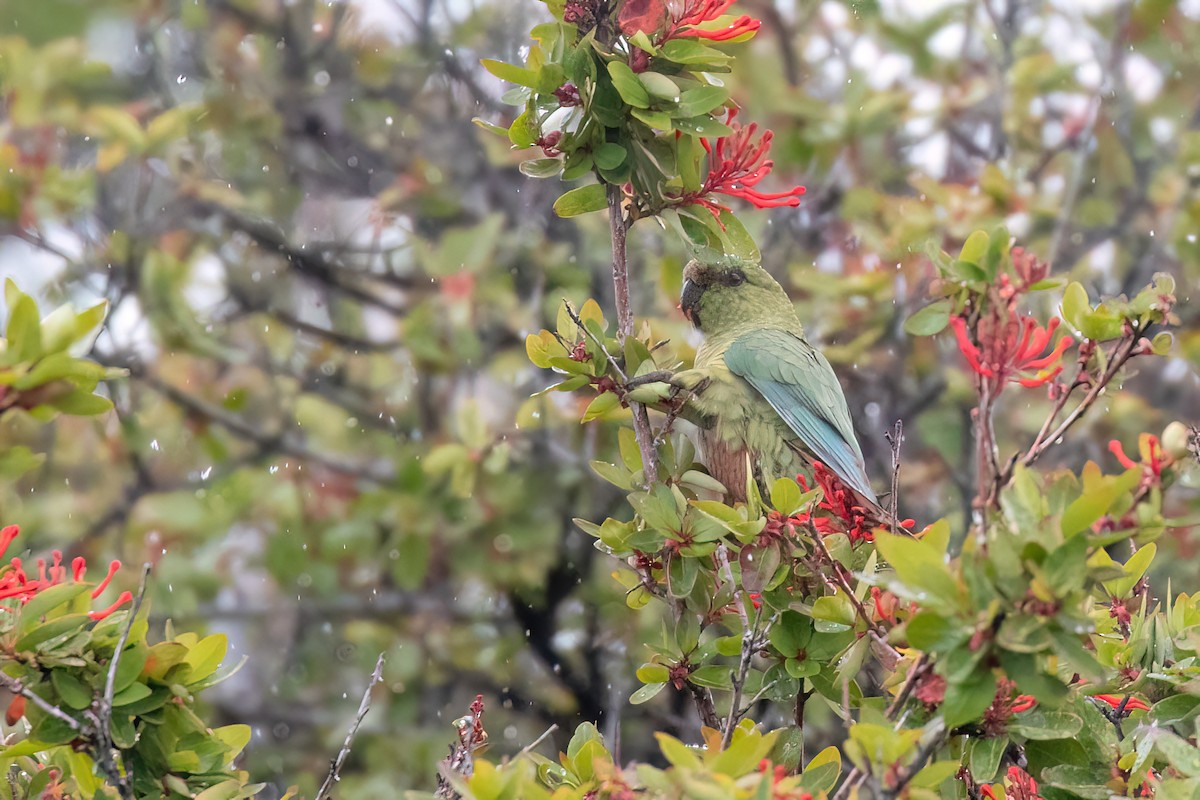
736, 165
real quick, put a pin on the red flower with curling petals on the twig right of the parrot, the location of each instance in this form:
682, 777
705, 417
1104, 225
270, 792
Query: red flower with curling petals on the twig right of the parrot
1011, 348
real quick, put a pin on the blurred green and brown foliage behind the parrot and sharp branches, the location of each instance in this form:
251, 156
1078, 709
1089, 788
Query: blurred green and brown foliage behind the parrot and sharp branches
321, 276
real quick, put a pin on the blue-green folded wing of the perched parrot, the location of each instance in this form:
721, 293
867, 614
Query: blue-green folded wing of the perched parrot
802, 388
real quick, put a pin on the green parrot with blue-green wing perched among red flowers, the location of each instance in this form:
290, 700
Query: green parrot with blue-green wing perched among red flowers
759, 388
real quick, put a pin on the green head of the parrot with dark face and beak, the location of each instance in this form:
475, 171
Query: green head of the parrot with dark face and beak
721, 297
